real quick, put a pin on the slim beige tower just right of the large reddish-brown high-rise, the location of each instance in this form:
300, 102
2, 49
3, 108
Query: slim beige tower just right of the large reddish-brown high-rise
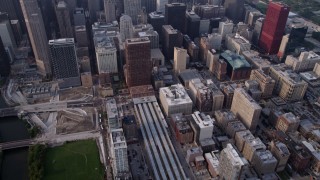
179, 59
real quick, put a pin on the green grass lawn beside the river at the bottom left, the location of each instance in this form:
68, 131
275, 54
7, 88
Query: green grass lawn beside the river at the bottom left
74, 160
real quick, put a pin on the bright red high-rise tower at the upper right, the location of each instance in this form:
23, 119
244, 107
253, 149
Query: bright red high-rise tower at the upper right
273, 27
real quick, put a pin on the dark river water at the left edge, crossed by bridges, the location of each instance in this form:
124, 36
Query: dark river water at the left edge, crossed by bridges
14, 162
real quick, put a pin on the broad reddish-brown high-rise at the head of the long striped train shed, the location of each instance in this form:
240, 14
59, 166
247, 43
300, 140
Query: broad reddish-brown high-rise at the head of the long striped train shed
138, 62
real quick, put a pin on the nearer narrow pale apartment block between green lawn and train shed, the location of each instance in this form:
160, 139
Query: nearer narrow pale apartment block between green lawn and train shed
118, 153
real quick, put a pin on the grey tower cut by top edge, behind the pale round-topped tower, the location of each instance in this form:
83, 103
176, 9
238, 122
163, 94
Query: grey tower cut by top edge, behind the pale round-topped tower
132, 8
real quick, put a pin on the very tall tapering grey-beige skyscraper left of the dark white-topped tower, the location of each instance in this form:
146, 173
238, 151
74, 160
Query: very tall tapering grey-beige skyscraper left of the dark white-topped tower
37, 34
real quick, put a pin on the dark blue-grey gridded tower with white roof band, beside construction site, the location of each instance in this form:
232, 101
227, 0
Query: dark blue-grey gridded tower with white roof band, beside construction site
64, 62
